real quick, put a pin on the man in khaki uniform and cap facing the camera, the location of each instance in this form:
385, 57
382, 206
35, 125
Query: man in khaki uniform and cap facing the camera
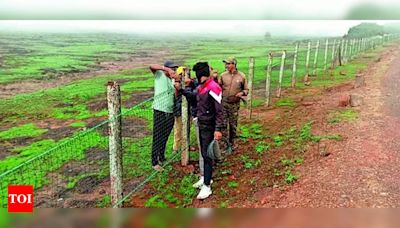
234, 87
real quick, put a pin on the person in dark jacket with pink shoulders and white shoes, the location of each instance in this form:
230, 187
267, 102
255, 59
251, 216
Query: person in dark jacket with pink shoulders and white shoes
210, 119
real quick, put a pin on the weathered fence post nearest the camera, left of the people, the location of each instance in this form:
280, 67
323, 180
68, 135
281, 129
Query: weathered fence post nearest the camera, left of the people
115, 140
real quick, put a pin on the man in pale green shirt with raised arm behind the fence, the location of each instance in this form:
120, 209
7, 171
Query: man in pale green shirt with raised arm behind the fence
163, 104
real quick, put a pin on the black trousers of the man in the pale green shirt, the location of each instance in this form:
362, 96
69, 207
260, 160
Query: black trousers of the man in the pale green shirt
162, 126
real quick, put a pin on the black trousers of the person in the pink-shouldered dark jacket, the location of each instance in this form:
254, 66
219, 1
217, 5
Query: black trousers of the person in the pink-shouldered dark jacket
206, 137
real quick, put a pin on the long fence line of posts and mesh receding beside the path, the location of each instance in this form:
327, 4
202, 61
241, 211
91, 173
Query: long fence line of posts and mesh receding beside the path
89, 155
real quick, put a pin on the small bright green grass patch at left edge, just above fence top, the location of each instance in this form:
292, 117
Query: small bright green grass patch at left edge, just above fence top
27, 130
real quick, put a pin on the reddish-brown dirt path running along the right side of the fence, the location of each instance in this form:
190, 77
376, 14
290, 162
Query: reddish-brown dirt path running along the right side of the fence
363, 169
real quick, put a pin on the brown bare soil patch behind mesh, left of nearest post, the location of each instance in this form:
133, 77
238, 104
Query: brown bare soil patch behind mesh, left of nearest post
86, 191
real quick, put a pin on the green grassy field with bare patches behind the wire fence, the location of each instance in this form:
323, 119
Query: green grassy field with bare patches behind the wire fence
31, 123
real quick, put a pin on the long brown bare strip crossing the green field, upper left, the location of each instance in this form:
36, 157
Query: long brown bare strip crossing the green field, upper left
28, 86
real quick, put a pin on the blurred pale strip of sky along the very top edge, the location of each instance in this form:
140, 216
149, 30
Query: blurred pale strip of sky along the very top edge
180, 9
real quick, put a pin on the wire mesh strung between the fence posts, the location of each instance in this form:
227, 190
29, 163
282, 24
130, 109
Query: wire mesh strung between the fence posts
76, 172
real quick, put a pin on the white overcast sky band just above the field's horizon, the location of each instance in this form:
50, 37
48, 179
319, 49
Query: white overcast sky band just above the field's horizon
155, 27
